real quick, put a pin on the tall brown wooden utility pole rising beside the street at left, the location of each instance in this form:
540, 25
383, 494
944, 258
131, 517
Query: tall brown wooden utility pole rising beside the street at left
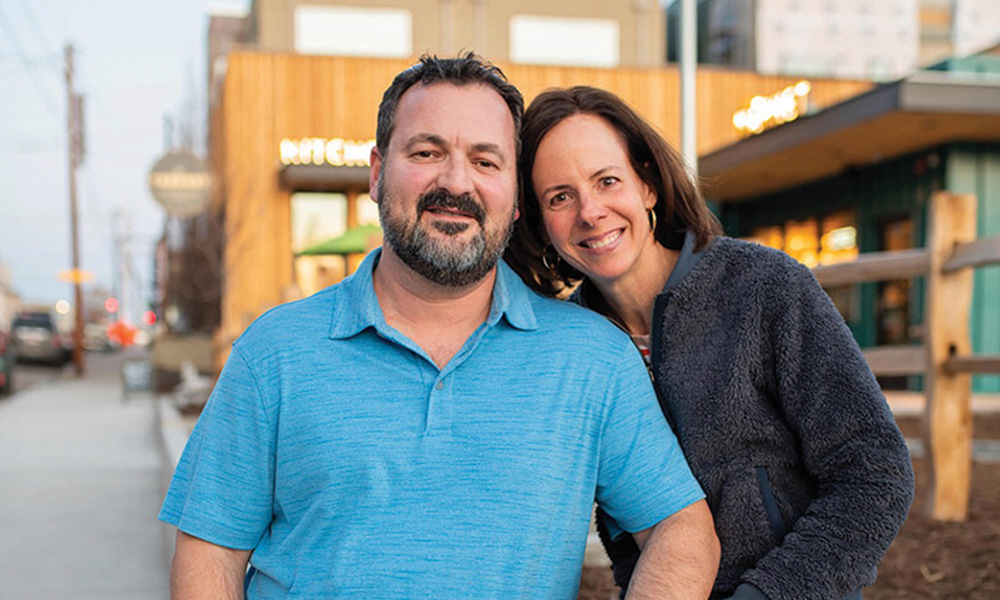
75, 150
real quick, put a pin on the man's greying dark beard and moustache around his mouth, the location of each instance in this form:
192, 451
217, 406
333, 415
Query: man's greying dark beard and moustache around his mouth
450, 262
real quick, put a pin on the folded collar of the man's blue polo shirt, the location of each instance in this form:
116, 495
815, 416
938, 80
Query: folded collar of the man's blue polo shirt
356, 308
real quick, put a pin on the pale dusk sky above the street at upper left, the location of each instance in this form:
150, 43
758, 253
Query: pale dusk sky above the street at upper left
136, 62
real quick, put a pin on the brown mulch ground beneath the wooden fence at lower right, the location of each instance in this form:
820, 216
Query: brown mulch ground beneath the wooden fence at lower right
929, 559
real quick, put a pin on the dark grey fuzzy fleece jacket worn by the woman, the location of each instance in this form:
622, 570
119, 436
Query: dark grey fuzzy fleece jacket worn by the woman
783, 424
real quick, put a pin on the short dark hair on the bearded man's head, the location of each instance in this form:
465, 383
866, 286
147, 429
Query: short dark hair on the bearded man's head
465, 70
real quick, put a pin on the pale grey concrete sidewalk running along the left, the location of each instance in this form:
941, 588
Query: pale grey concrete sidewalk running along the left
80, 486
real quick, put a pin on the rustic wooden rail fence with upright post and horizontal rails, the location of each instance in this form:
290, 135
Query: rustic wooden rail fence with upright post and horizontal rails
945, 358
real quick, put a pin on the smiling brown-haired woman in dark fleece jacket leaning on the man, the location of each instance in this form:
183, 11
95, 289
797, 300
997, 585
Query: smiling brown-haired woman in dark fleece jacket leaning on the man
781, 420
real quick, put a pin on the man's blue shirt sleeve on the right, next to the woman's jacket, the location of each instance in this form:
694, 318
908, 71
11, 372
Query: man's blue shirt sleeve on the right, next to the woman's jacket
643, 477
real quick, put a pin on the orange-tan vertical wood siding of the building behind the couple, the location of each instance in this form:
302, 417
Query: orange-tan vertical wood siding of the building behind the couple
267, 97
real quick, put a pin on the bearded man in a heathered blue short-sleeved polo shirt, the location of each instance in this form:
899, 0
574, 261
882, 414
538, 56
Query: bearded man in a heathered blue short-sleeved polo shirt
430, 428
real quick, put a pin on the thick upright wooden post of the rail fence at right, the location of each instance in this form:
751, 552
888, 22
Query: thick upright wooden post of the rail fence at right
948, 418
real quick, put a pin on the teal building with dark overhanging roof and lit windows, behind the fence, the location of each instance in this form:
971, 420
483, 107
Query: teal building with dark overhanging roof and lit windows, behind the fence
858, 176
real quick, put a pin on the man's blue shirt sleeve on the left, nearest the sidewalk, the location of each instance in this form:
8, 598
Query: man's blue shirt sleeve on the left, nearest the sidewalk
222, 489
